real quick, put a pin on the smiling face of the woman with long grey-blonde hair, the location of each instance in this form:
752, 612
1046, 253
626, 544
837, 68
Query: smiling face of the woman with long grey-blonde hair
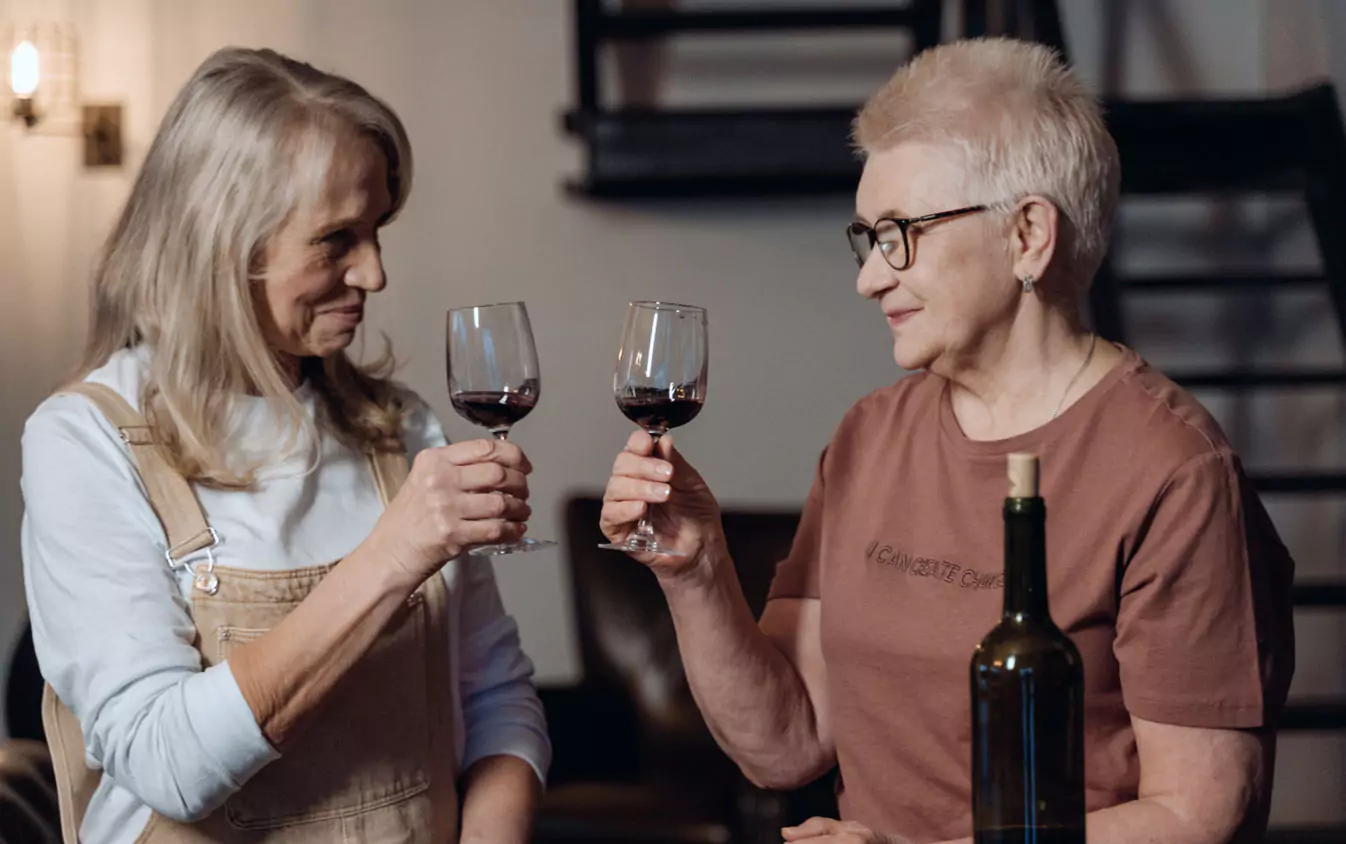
325, 260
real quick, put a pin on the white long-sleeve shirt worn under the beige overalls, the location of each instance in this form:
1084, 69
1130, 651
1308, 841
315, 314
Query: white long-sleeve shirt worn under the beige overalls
111, 620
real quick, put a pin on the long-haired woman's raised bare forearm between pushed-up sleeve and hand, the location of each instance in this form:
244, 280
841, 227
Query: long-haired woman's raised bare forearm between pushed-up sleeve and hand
287, 674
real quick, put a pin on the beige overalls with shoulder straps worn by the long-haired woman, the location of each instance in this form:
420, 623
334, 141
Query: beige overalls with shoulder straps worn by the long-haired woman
376, 765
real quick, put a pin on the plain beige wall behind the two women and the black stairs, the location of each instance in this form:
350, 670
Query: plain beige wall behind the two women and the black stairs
481, 84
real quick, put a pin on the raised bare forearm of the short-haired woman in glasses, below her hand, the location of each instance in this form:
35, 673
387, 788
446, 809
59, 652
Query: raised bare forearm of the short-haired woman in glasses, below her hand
752, 697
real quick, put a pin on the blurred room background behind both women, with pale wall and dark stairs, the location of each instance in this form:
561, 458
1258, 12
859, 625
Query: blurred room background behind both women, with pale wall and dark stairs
582, 154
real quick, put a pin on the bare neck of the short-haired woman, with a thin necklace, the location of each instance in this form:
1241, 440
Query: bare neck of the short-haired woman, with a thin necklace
1014, 378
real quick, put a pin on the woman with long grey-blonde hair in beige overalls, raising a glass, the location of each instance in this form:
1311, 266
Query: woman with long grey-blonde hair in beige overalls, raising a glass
215, 676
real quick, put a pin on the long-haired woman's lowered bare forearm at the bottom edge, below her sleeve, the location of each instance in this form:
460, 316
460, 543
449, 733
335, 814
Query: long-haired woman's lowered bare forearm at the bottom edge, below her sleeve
500, 796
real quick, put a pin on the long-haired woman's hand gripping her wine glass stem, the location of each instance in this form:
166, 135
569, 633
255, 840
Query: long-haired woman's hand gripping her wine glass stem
457, 497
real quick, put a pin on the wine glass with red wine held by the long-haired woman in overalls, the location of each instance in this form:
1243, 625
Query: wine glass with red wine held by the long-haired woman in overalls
493, 379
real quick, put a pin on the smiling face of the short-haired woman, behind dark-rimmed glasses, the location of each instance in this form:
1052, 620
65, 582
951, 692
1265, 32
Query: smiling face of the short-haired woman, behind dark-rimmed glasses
960, 286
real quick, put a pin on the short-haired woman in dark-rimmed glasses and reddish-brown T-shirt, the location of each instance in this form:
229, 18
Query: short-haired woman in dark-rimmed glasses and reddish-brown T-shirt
982, 216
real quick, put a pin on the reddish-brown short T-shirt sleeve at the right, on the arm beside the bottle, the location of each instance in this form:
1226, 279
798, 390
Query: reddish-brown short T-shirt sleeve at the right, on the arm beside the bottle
1204, 635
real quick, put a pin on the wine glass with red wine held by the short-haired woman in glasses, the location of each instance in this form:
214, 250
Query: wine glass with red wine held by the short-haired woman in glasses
660, 384
